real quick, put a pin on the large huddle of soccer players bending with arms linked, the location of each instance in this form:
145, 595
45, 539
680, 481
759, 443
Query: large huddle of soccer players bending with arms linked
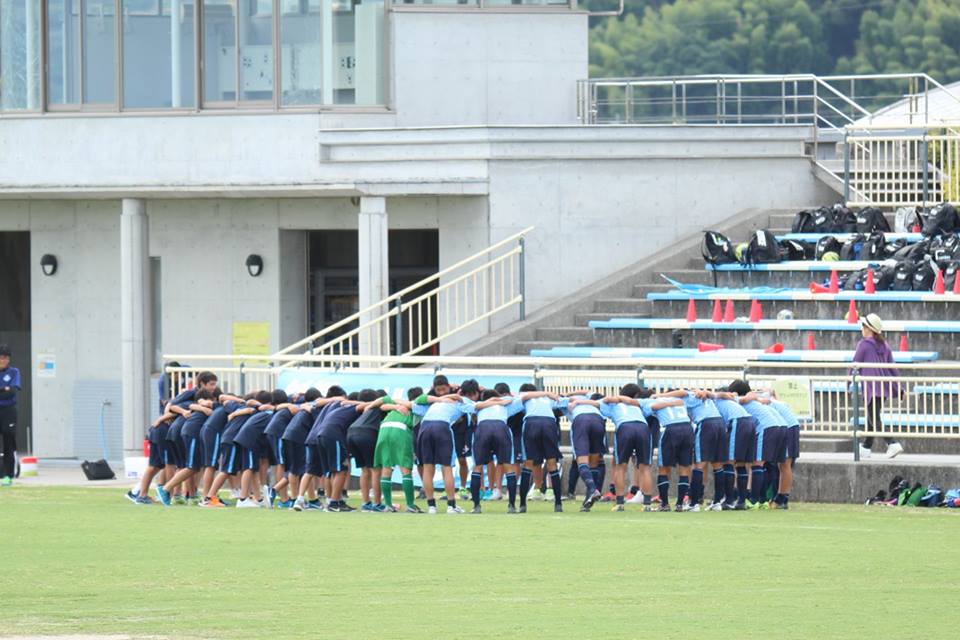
304, 443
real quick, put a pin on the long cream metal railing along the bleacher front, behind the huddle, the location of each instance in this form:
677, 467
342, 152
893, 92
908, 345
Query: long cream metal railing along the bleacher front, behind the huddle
831, 399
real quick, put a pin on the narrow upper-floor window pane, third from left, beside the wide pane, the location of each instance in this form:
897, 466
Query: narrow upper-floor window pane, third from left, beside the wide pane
99, 52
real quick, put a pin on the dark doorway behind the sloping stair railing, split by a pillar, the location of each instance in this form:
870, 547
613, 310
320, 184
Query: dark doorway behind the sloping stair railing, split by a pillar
333, 272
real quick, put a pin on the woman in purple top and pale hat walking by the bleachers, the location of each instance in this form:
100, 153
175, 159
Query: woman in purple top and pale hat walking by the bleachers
873, 350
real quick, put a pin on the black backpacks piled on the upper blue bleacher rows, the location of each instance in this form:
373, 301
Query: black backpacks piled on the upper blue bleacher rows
897, 265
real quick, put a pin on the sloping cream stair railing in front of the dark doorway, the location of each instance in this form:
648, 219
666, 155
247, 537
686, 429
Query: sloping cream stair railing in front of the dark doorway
434, 309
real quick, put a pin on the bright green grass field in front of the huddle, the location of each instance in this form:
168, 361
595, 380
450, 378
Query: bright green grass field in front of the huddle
87, 561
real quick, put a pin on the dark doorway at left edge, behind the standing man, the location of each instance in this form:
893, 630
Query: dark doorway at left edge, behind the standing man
15, 322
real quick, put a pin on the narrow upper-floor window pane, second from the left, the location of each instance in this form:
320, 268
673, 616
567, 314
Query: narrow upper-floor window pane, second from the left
63, 51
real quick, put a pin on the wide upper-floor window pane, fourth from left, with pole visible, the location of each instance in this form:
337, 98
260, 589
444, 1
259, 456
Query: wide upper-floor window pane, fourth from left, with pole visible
158, 53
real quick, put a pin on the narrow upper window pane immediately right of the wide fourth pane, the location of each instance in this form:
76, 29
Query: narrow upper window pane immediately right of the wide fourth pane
219, 51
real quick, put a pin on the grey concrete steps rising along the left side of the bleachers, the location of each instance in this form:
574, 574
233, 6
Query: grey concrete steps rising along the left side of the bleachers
623, 294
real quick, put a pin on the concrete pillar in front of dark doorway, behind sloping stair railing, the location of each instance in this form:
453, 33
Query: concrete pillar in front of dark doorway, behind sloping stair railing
374, 272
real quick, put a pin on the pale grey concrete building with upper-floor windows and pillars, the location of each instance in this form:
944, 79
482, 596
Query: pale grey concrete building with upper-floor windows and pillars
150, 148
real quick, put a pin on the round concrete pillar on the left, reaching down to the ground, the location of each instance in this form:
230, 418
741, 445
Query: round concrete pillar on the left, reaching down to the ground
134, 323
